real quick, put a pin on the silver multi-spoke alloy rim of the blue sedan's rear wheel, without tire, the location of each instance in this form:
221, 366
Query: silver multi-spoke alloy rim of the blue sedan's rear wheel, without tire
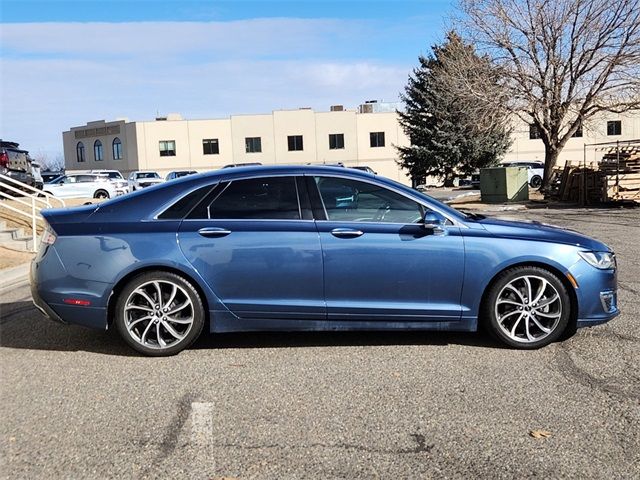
158, 314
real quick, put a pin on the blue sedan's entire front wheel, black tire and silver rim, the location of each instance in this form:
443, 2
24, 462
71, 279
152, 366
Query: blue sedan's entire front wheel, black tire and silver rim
527, 307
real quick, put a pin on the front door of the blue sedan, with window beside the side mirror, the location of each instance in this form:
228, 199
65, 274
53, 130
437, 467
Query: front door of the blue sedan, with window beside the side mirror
380, 261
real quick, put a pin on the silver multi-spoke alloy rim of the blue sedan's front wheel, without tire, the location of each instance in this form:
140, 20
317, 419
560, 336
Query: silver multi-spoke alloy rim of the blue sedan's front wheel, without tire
528, 309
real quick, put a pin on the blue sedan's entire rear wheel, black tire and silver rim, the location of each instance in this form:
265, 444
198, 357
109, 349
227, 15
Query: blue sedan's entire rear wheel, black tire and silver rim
159, 313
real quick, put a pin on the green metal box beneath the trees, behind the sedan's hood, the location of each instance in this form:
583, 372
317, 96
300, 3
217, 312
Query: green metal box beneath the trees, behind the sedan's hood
504, 184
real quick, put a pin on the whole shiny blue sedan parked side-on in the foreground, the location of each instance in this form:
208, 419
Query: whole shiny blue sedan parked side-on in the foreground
312, 248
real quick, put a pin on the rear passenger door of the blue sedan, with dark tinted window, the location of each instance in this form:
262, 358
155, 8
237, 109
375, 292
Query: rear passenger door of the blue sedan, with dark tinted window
258, 249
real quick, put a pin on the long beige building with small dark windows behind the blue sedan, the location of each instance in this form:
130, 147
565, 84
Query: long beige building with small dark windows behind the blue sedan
366, 137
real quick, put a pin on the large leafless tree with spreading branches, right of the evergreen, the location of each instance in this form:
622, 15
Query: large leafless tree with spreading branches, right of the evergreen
563, 61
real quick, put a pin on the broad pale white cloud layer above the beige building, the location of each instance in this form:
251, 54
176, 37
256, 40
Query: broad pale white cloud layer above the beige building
55, 76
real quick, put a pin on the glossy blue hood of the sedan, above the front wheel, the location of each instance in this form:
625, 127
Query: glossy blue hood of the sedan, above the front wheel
533, 230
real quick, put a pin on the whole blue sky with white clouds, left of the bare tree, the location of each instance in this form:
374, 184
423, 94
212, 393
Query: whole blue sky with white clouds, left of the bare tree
64, 63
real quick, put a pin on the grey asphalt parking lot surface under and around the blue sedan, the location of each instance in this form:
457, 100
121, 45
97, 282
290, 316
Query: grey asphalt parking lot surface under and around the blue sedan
77, 403
